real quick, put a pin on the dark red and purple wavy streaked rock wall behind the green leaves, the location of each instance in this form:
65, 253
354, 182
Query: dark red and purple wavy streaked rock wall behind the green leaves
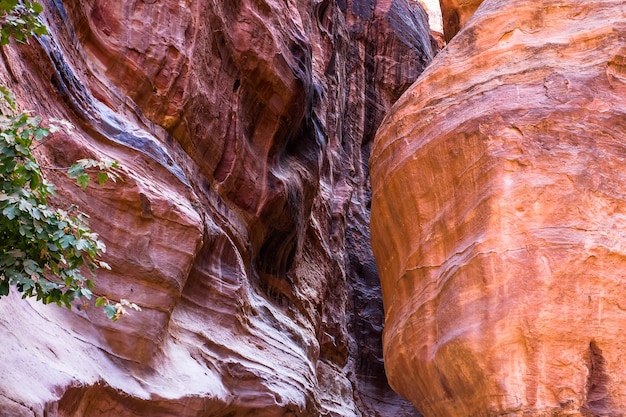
241, 227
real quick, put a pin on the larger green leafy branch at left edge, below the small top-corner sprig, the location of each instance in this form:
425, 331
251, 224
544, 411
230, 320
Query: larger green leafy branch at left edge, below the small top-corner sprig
36, 240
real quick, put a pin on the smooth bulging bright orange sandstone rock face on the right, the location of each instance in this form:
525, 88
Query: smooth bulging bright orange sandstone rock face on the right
497, 219
